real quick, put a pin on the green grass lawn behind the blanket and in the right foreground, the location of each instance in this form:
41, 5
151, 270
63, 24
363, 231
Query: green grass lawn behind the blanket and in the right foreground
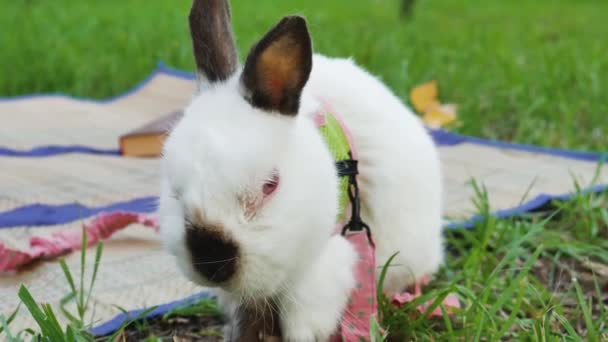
525, 71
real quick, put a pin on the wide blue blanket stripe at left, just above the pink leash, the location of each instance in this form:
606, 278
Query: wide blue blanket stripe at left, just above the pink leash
48, 215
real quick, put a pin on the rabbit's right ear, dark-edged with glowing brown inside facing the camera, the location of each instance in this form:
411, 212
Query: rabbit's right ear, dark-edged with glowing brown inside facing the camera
278, 67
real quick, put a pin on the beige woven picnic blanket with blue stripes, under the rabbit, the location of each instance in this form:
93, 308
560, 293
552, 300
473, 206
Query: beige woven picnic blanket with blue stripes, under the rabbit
61, 167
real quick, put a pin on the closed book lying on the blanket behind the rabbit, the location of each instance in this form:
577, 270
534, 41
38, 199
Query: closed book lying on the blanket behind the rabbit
147, 140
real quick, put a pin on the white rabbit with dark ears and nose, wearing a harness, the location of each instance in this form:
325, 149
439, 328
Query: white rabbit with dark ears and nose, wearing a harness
249, 190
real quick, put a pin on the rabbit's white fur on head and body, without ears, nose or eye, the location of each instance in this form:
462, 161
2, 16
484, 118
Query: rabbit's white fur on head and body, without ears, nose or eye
223, 146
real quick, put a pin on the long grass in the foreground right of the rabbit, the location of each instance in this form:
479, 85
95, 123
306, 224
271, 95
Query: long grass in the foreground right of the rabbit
525, 278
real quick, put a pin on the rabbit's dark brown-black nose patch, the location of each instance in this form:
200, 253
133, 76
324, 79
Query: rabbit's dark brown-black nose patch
214, 255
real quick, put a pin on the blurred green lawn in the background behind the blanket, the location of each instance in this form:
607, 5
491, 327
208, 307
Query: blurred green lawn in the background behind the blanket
525, 71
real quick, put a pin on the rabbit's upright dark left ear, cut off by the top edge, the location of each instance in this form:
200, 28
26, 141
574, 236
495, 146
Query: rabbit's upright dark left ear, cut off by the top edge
212, 40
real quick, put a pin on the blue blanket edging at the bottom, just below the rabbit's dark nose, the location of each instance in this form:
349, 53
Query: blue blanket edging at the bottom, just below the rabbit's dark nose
115, 323
